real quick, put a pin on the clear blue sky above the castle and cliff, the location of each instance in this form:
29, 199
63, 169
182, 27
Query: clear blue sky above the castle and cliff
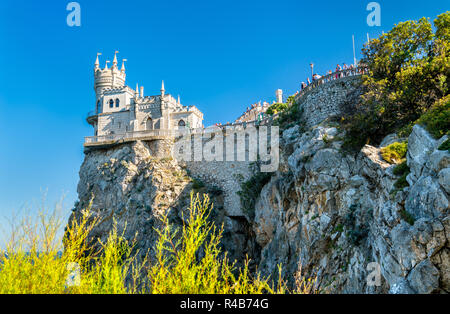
218, 55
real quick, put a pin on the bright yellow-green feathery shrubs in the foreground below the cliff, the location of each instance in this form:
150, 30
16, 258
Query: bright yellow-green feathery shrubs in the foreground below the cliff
187, 260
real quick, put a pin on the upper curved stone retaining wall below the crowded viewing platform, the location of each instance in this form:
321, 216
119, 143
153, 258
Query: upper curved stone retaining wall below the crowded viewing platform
329, 99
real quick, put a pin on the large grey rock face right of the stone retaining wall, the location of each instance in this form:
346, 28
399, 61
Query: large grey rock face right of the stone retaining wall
340, 217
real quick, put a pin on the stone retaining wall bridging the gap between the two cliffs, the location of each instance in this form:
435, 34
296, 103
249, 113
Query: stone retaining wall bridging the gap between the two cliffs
240, 147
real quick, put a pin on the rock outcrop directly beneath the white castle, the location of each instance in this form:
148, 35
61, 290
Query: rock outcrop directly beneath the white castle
129, 184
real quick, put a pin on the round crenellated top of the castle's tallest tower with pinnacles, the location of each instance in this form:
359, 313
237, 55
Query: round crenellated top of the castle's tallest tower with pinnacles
108, 78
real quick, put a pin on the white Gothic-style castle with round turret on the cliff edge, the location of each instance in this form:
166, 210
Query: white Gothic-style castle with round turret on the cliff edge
121, 110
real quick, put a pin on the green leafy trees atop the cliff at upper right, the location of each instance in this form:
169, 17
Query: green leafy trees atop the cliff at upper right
409, 71
